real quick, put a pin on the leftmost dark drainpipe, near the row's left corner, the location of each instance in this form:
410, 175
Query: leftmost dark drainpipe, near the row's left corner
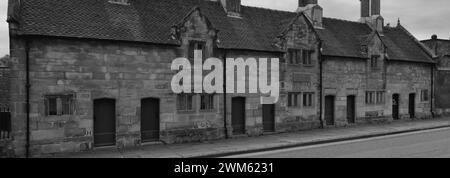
27, 86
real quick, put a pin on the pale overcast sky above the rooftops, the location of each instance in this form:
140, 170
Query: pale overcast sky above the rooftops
422, 18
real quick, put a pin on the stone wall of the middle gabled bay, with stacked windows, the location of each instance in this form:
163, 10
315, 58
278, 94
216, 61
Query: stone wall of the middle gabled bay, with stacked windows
300, 78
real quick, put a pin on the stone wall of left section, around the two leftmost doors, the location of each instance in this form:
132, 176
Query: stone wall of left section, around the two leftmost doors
93, 70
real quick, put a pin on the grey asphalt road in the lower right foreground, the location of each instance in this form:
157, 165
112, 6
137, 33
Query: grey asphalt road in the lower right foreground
424, 144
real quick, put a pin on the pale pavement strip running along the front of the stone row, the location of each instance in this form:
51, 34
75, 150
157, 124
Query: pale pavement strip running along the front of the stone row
245, 145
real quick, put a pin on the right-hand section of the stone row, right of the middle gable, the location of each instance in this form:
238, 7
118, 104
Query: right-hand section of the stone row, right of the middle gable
372, 72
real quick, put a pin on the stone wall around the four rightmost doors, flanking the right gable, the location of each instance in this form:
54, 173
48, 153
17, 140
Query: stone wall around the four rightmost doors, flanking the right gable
349, 77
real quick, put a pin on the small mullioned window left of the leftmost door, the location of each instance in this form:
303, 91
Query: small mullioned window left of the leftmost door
56, 105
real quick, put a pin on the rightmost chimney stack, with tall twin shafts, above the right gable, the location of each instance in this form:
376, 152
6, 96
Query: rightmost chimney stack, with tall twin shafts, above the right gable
371, 14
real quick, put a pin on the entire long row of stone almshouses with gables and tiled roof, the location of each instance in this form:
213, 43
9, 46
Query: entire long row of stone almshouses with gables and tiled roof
93, 73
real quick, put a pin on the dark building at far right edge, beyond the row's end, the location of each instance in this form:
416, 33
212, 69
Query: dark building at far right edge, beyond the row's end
441, 49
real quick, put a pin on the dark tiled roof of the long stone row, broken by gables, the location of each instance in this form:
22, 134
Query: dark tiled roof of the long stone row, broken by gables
151, 21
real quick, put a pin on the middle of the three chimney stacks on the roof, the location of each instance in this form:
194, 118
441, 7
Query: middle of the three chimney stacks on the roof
312, 10
